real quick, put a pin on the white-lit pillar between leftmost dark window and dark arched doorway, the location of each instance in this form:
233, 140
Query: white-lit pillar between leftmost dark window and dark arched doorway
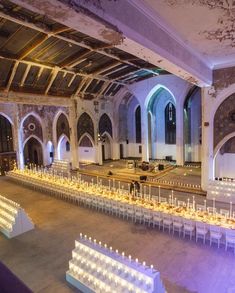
18, 139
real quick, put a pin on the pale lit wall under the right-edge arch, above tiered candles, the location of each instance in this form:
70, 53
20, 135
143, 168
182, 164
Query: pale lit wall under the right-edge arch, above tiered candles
225, 165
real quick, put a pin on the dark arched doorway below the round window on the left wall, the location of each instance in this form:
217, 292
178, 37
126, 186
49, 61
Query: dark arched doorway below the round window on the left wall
33, 153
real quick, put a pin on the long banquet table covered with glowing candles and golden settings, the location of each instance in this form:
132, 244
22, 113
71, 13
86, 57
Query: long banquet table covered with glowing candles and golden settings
90, 194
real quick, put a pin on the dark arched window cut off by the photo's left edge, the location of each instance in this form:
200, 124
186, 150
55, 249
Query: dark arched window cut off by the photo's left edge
6, 140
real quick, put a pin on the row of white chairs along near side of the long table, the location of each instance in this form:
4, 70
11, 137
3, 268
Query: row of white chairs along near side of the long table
138, 214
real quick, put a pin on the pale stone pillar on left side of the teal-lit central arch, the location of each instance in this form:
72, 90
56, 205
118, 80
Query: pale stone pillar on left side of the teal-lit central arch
144, 134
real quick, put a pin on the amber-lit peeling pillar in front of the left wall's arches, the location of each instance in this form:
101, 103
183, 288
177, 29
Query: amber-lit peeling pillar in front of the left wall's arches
73, 136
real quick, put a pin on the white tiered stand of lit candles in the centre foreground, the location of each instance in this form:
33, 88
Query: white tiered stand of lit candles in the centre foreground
100, 267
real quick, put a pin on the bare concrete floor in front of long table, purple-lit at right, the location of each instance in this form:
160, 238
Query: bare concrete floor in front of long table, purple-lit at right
40, 257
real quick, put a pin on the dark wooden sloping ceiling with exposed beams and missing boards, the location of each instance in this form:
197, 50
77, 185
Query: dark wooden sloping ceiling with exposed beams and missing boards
39, 55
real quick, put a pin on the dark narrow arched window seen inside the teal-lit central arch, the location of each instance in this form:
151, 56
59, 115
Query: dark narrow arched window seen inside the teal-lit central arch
170, 124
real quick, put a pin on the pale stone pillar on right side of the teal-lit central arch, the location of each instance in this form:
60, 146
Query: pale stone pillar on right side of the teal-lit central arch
179, 134
